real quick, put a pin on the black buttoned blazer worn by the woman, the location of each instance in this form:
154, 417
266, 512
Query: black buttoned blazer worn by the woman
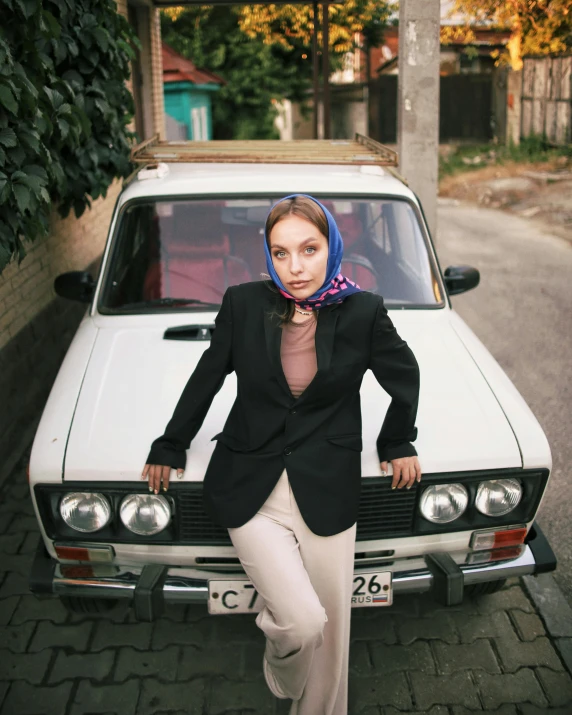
317, 436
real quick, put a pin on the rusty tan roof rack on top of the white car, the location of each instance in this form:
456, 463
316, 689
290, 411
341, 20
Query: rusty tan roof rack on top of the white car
360, 150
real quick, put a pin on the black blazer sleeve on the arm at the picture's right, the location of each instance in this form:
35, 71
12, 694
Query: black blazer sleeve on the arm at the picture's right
397, 371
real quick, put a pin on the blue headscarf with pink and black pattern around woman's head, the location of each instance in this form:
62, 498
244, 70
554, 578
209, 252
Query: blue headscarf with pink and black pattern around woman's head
336, 287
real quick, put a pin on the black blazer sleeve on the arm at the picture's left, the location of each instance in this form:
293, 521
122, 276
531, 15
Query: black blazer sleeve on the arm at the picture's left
199, 392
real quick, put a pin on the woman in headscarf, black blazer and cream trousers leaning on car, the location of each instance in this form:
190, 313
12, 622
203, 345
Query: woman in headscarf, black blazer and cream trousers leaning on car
285, 475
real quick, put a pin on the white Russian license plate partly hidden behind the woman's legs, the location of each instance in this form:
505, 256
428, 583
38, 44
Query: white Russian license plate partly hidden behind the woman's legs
238, 595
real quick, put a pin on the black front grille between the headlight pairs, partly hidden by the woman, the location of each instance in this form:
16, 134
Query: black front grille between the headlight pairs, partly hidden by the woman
383, 512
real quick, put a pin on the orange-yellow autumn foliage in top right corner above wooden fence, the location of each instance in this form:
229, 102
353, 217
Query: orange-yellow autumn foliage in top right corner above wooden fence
538, 27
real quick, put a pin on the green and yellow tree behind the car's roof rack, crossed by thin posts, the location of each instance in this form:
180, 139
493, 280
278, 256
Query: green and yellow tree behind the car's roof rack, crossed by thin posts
263, 53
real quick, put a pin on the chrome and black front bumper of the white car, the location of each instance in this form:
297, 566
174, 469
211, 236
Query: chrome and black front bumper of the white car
149, 587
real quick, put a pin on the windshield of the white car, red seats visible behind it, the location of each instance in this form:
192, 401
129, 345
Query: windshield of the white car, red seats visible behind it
181, 255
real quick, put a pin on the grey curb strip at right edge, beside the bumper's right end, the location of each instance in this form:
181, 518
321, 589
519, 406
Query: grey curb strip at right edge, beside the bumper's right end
555, 612
